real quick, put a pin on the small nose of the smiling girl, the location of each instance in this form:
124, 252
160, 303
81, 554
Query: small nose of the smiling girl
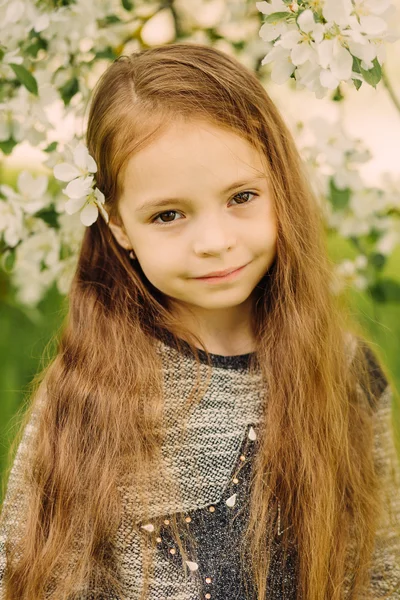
213, 236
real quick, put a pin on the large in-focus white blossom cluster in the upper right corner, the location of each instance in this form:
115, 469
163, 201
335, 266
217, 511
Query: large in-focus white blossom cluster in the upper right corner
326, 38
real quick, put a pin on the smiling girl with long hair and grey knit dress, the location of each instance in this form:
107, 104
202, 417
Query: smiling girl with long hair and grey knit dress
202, 434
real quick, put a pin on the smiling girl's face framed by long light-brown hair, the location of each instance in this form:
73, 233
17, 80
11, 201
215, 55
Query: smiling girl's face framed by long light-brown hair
217, 213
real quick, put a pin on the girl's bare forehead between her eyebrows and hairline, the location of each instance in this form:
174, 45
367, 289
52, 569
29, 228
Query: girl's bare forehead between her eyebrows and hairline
193, 152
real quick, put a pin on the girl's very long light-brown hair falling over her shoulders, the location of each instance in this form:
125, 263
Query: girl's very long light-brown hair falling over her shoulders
101, 398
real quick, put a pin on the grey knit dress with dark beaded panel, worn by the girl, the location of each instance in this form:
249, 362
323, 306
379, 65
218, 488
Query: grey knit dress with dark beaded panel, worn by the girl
213, 467
